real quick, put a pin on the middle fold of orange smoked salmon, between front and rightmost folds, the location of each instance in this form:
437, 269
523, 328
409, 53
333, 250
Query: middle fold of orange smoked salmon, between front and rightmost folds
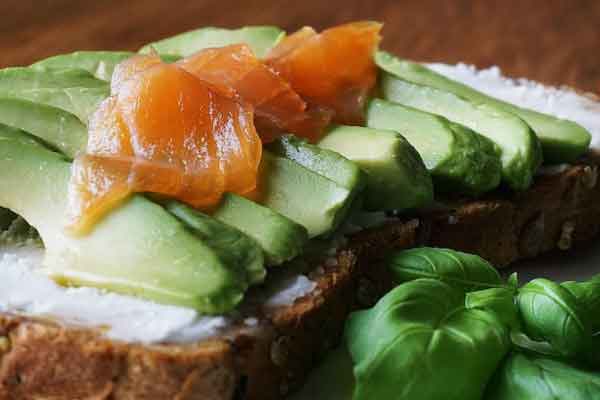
234, 71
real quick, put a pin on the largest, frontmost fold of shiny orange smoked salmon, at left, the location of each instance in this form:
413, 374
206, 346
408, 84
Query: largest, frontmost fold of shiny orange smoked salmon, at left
164, 131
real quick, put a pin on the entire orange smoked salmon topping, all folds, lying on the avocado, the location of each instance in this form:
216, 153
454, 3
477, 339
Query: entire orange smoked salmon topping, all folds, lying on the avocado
190, 130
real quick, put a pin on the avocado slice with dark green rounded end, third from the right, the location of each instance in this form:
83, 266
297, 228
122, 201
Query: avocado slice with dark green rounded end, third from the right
459, 159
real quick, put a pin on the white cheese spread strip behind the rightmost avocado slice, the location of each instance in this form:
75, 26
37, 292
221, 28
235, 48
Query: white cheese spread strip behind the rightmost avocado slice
562, 103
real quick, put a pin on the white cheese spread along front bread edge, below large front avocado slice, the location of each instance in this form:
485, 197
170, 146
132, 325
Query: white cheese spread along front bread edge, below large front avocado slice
26, 291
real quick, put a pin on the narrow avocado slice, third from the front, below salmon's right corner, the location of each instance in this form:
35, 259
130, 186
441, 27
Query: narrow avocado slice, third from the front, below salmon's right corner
280, 238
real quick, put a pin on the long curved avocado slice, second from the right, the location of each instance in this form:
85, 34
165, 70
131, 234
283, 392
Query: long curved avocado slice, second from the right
520, 149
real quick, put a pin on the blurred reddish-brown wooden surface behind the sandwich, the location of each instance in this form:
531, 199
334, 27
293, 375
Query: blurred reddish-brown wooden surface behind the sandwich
554, 41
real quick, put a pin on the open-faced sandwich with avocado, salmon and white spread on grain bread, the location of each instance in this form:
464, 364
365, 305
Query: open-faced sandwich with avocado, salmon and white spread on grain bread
198, 219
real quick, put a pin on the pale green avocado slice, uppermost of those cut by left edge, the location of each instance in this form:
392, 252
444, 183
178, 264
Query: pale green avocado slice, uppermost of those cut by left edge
75, 91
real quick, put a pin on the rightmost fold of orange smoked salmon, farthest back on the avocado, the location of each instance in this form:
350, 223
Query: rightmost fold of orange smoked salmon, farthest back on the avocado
334, 69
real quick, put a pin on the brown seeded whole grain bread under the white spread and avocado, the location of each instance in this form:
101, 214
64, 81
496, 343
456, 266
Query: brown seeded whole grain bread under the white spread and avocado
46, 360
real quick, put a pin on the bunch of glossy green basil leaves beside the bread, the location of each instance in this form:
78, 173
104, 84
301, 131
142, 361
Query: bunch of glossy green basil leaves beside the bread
445, 331
